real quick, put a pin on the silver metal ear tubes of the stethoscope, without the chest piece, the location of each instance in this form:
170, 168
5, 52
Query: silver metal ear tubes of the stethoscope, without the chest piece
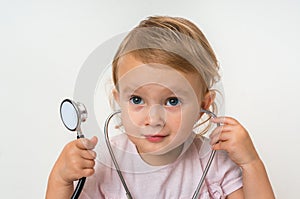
128, 194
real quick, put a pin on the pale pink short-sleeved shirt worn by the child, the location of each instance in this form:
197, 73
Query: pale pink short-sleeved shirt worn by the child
176, 180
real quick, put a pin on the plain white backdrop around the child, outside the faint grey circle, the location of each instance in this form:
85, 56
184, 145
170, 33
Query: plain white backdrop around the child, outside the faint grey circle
43, 45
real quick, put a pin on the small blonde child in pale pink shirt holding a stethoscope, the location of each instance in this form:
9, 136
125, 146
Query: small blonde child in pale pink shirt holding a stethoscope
163, 73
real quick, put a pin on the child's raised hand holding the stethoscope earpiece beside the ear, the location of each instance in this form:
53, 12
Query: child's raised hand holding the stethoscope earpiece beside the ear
232, 137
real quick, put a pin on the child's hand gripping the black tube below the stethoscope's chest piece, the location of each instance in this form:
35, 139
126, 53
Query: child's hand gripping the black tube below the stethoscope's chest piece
77, 160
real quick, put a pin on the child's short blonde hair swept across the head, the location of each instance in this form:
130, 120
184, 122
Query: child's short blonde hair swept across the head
175, 42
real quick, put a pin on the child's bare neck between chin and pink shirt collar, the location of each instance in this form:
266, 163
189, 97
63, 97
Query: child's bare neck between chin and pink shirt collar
162, 159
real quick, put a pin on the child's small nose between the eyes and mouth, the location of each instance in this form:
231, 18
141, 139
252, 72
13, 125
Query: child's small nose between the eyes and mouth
156, 116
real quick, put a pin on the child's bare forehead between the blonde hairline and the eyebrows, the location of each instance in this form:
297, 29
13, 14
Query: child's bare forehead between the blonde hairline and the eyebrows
134, 74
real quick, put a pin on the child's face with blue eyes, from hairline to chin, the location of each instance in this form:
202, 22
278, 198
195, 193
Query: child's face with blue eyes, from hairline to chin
159, 105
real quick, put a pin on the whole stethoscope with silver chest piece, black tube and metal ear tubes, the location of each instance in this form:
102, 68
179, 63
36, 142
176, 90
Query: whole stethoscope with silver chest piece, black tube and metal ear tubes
73, 113
